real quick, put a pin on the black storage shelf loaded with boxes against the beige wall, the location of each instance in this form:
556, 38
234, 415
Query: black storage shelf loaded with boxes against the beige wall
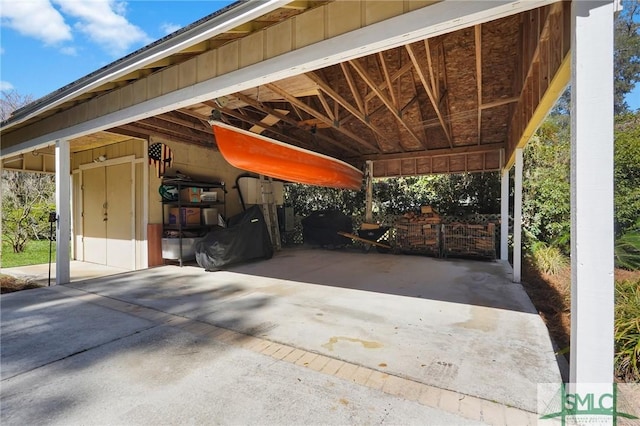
189, 215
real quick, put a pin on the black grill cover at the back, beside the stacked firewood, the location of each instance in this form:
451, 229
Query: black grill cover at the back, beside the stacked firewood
321, 228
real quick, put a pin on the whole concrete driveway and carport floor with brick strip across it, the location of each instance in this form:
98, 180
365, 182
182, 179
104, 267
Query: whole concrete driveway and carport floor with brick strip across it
310, 336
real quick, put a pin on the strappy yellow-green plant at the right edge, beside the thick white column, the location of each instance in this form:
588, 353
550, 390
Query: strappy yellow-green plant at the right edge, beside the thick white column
627, 330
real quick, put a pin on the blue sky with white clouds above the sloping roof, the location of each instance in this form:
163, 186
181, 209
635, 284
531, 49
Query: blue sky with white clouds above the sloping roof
46, 44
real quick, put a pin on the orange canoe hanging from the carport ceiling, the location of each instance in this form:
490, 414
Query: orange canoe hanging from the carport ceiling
259, 154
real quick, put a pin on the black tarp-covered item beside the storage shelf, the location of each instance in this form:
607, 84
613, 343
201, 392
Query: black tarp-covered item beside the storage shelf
245, 238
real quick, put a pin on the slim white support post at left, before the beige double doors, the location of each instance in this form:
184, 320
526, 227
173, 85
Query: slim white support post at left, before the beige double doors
63, 207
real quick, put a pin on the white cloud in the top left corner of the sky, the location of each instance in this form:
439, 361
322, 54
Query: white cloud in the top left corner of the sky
35, 18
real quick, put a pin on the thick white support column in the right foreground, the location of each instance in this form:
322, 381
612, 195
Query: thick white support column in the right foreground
592, 230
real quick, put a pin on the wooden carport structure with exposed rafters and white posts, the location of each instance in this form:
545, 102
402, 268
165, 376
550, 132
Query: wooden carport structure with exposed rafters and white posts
415, 87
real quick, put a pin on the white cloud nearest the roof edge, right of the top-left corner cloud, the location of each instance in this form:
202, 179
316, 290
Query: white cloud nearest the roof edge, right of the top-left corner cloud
103, 22
